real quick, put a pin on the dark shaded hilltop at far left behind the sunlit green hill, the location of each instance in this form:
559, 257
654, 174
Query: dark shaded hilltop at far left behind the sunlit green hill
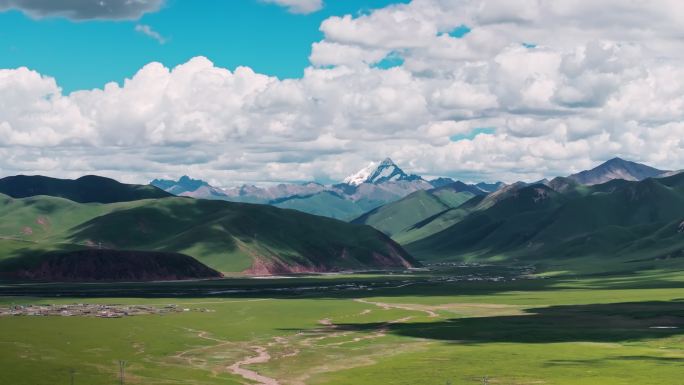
86, 189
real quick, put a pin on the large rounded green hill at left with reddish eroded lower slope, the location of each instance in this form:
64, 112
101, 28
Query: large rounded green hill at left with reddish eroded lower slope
228, 237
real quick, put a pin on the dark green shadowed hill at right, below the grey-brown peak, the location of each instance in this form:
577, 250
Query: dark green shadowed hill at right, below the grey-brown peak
631, 223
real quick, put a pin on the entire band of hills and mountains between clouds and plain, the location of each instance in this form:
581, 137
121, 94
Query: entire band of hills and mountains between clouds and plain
619, 216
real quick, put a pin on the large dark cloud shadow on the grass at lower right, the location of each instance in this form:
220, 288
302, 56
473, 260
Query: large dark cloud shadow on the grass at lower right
605, 323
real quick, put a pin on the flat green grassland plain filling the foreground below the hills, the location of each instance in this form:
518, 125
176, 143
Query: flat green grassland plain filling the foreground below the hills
418, 329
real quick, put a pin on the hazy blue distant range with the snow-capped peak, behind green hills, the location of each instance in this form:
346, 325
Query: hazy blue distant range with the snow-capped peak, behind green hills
373, 186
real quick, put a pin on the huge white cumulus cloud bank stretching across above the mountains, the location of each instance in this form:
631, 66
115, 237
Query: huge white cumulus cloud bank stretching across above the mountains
558, 86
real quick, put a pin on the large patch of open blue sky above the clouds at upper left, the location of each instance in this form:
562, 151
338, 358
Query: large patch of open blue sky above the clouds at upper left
88, 54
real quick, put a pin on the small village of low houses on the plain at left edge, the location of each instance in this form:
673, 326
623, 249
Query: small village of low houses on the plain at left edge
92, 310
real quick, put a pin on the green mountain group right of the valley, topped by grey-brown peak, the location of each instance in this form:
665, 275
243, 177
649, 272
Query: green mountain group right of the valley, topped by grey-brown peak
620, 215
